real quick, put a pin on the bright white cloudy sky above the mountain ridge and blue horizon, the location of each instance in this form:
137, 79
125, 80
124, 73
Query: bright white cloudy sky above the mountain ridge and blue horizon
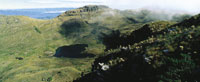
176, 5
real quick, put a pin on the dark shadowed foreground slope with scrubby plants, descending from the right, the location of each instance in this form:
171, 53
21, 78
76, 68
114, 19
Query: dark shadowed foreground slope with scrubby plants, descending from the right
166, 52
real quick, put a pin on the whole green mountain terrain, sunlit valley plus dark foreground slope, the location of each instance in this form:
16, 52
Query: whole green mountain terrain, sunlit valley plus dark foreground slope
142, 44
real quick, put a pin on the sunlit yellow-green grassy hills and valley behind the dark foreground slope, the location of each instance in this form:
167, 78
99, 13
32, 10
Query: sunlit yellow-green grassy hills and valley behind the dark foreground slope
28, 45
